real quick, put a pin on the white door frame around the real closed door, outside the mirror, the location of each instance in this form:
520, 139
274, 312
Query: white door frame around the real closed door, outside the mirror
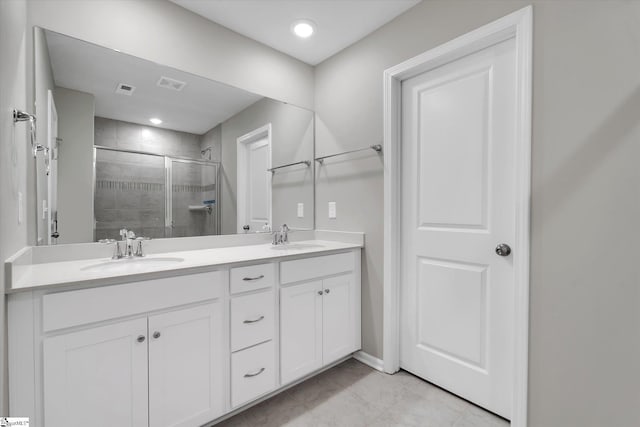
519, 26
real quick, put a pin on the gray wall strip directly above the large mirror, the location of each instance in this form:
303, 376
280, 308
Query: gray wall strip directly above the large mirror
165, 33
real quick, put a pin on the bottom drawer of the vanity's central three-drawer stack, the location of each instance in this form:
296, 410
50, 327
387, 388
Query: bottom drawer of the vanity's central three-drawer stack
253, 373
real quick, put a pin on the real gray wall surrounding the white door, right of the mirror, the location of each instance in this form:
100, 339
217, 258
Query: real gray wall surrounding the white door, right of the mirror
585, 297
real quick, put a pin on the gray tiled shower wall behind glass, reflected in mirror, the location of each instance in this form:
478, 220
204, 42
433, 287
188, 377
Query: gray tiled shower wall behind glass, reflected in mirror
130, 187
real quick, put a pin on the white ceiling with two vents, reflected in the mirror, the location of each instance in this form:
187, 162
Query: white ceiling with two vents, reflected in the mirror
85, 67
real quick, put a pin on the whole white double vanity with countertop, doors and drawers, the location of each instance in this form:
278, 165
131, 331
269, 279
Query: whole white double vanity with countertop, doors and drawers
178, 338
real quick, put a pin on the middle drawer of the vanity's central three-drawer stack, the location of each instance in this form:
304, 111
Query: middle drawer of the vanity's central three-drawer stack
252, 319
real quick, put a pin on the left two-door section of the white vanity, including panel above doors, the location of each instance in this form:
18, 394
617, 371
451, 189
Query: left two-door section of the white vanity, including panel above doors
148, 353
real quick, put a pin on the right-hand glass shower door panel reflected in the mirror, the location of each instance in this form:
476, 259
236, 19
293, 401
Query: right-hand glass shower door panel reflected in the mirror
194, 202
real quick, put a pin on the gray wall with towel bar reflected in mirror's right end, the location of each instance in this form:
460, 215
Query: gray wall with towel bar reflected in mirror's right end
291, 141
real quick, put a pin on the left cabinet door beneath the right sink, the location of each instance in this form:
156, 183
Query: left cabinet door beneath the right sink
300, 330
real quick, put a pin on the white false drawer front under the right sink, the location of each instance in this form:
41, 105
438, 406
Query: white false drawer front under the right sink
311, 268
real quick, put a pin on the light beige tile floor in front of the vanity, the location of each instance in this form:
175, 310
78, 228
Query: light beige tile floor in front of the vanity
354, 395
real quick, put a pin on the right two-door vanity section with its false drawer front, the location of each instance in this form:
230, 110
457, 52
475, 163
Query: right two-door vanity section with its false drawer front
319, 312
